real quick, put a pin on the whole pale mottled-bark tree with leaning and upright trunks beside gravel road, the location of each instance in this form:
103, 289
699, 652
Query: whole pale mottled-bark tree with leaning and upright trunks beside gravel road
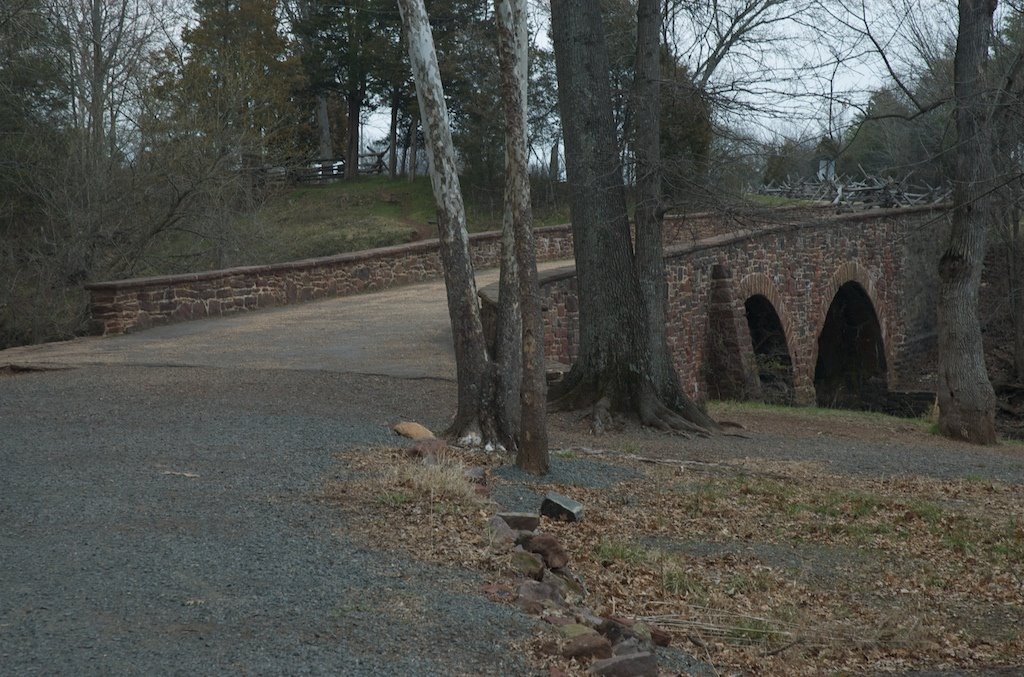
484, 414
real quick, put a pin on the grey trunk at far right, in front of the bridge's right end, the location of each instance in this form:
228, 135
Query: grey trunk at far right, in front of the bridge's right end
967, 402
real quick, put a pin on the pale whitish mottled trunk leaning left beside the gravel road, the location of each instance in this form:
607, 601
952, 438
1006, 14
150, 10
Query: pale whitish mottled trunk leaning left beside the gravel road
475, 420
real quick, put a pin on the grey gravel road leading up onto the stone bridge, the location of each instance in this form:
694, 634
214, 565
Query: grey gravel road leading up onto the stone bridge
159, 512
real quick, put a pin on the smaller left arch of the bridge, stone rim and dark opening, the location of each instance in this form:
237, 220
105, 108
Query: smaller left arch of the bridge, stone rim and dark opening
772, 338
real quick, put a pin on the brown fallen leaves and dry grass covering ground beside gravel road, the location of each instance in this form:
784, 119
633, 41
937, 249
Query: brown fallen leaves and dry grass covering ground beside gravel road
772, 568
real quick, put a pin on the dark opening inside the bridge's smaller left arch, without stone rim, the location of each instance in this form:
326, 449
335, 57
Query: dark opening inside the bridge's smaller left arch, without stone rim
772, 353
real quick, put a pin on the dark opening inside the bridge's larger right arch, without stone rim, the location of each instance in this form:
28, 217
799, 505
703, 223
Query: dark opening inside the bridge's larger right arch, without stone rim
851, 369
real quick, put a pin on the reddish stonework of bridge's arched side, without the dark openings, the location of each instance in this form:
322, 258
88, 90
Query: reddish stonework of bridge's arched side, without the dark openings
892, 256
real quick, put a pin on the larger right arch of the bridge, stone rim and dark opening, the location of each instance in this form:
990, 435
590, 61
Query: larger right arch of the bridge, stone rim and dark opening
851, 354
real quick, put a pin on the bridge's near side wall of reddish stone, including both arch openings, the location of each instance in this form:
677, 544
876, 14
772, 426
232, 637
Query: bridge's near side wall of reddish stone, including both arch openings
835, 311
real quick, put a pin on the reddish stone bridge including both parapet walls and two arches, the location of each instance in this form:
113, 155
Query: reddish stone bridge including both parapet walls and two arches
803, 307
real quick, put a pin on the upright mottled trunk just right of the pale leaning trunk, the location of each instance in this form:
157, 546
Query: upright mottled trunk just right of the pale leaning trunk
532, 444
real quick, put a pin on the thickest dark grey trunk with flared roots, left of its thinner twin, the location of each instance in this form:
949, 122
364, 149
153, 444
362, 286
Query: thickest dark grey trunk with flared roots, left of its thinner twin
614, 370
